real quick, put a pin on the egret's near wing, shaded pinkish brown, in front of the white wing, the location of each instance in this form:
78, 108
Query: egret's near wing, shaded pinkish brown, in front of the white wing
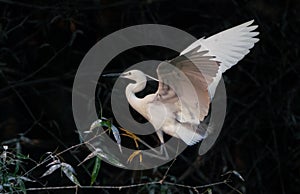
184, 81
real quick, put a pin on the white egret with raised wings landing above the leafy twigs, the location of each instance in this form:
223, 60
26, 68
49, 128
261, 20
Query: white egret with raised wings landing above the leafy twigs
174, 109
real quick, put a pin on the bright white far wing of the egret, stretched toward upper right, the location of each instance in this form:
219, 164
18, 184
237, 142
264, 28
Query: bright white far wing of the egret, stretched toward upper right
228, 47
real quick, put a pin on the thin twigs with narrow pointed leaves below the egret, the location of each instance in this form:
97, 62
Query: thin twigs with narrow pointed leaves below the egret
55, 163
